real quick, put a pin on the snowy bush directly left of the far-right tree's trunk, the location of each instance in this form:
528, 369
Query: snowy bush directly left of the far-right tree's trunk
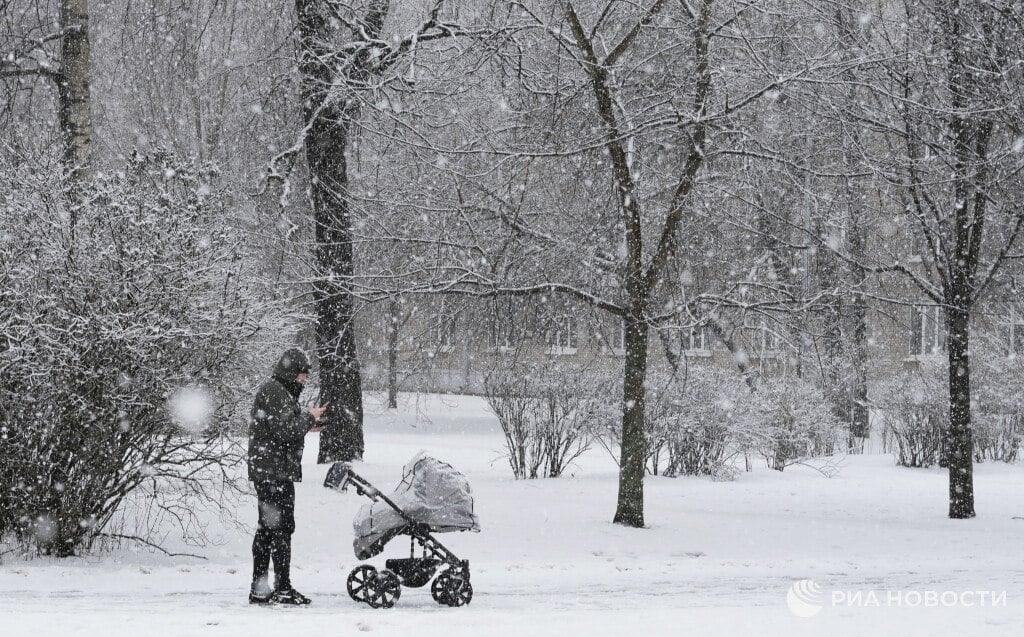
916, 409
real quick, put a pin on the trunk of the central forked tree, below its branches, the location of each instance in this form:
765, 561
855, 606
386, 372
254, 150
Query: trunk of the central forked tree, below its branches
629, 511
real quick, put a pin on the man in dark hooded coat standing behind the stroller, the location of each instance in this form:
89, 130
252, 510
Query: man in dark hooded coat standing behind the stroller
277, 436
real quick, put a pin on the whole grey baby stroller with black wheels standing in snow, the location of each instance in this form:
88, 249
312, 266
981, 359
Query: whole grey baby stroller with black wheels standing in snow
433, 497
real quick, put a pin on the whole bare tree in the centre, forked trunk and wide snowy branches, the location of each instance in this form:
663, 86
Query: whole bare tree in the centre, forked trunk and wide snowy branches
577, 183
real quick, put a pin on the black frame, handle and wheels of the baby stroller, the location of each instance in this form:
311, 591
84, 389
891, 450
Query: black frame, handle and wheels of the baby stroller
382, 589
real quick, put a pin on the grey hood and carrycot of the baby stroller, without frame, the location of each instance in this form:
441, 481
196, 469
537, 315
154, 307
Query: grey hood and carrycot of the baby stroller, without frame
432, 492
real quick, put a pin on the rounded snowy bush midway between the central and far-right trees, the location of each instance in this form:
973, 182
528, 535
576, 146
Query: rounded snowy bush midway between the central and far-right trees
790, 421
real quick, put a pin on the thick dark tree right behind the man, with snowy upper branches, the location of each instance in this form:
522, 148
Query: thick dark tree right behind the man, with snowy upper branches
344, 58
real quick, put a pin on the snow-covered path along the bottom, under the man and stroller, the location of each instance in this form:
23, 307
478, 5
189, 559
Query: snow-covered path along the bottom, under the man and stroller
524, 602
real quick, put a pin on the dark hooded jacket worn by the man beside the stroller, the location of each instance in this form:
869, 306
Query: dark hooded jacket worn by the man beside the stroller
279, 426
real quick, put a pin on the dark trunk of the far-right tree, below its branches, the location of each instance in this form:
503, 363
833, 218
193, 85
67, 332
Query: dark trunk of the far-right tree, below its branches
959, 440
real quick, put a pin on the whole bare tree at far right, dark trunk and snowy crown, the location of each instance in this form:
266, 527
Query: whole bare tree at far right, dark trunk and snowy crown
946, 102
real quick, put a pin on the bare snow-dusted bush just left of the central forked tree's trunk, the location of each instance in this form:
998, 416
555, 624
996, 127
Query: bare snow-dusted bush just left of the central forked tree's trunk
547, 413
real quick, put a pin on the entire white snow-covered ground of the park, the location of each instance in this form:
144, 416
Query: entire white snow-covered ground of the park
718, 559
